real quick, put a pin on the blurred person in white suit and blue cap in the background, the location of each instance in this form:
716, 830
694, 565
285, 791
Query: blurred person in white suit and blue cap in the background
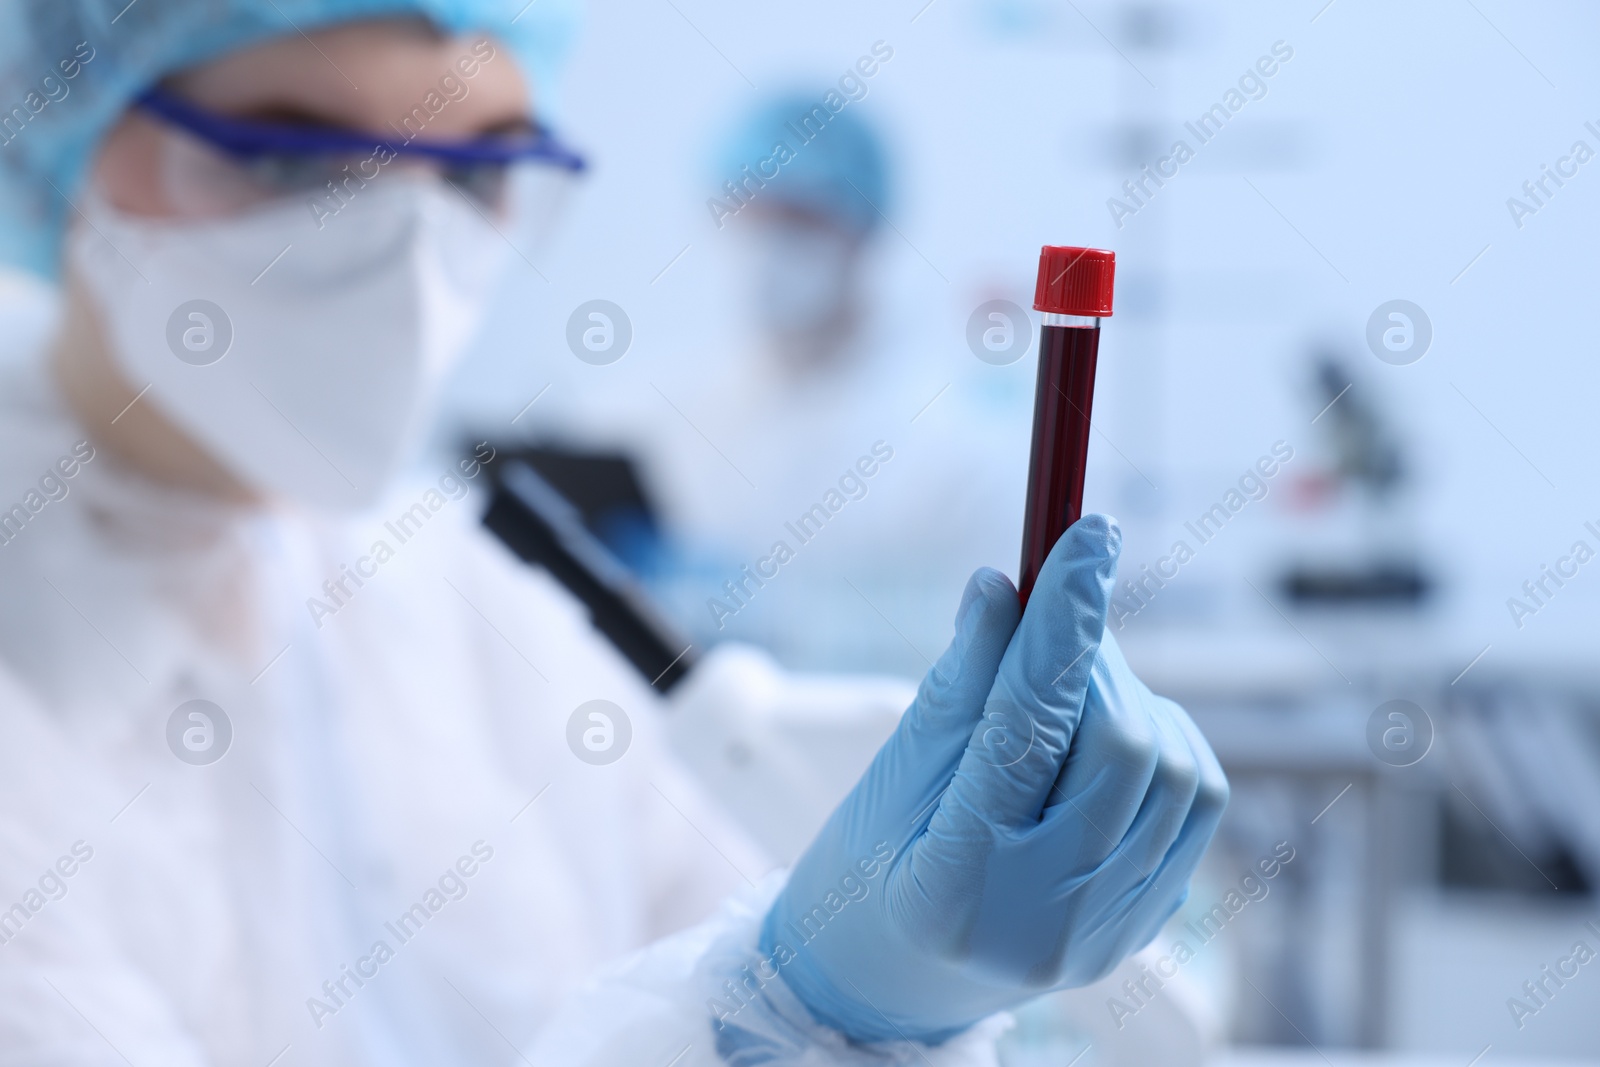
830, 377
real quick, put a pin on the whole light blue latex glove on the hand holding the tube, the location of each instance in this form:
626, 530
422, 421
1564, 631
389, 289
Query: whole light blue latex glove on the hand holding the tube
1033, 821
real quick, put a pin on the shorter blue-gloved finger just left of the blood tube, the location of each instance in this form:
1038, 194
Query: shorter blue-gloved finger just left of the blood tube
919, 759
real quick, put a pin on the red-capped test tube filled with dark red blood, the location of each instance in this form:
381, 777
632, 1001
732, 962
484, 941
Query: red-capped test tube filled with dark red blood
1074, 294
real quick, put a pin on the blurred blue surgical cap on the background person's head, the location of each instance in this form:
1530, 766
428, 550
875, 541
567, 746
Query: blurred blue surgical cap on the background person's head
839, 174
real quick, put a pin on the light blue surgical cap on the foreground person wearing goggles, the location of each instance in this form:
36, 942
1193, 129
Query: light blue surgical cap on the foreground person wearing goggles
70, 70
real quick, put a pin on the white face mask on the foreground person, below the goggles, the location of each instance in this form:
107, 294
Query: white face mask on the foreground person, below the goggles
303, 359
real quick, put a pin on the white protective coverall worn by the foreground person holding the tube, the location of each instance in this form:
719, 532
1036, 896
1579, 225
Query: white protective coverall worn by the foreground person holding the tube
399, 860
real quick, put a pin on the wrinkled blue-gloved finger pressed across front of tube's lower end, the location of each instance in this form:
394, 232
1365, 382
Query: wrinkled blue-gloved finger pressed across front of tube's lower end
1033, 713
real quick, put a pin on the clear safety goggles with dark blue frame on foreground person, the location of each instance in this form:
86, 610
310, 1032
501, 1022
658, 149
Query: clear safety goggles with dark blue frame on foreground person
222, 166
